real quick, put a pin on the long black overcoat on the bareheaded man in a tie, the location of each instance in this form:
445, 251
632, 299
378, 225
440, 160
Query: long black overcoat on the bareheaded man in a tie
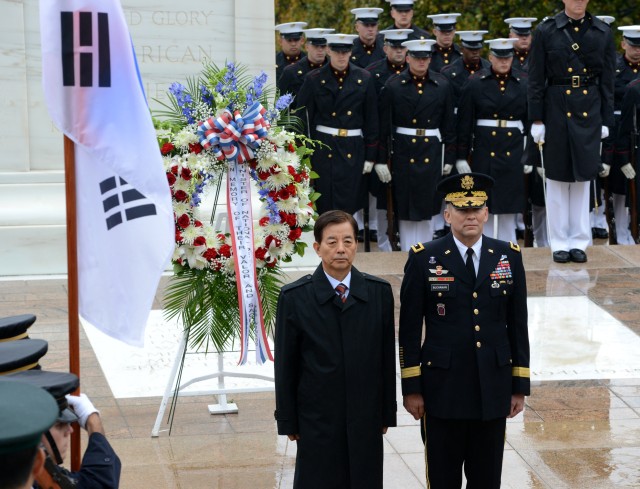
335, 378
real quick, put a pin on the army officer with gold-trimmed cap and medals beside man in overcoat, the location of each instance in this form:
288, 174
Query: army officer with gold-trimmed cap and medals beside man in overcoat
466, 295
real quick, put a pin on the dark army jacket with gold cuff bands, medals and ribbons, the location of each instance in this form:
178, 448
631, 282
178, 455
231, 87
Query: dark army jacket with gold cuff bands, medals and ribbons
475, 355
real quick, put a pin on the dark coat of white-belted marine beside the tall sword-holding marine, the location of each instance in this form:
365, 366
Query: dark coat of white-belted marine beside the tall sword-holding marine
495, 151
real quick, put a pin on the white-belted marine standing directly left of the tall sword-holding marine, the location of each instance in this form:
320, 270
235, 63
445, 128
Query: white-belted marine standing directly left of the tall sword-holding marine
491, 128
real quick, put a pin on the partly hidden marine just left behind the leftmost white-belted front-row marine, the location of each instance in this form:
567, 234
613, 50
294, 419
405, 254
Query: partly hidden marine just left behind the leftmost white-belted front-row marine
293, 75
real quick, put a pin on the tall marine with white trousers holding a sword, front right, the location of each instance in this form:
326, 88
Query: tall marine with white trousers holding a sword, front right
571, 86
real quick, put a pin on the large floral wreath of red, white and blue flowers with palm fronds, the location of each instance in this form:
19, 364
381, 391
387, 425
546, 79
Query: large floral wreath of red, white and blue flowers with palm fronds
221, 117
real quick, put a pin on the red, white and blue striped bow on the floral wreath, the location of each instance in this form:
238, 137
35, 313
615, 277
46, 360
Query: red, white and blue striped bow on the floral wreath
234, 137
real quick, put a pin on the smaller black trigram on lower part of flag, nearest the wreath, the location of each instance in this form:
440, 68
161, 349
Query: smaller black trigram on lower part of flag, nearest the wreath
117, 202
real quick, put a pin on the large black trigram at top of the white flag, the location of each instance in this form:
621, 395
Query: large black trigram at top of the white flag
82, 35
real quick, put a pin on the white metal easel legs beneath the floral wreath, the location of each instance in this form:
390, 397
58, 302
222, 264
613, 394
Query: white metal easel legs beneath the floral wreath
175, 379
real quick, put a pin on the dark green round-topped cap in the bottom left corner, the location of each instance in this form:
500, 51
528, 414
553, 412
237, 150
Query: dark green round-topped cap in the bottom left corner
26, 412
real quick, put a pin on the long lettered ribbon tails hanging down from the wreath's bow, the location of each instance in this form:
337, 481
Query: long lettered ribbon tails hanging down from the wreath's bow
241, 219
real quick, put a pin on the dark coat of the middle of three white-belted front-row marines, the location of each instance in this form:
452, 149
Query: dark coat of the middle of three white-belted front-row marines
416, 161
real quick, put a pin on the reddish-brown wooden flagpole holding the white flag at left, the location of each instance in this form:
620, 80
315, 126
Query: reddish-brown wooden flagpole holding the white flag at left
72, 281
